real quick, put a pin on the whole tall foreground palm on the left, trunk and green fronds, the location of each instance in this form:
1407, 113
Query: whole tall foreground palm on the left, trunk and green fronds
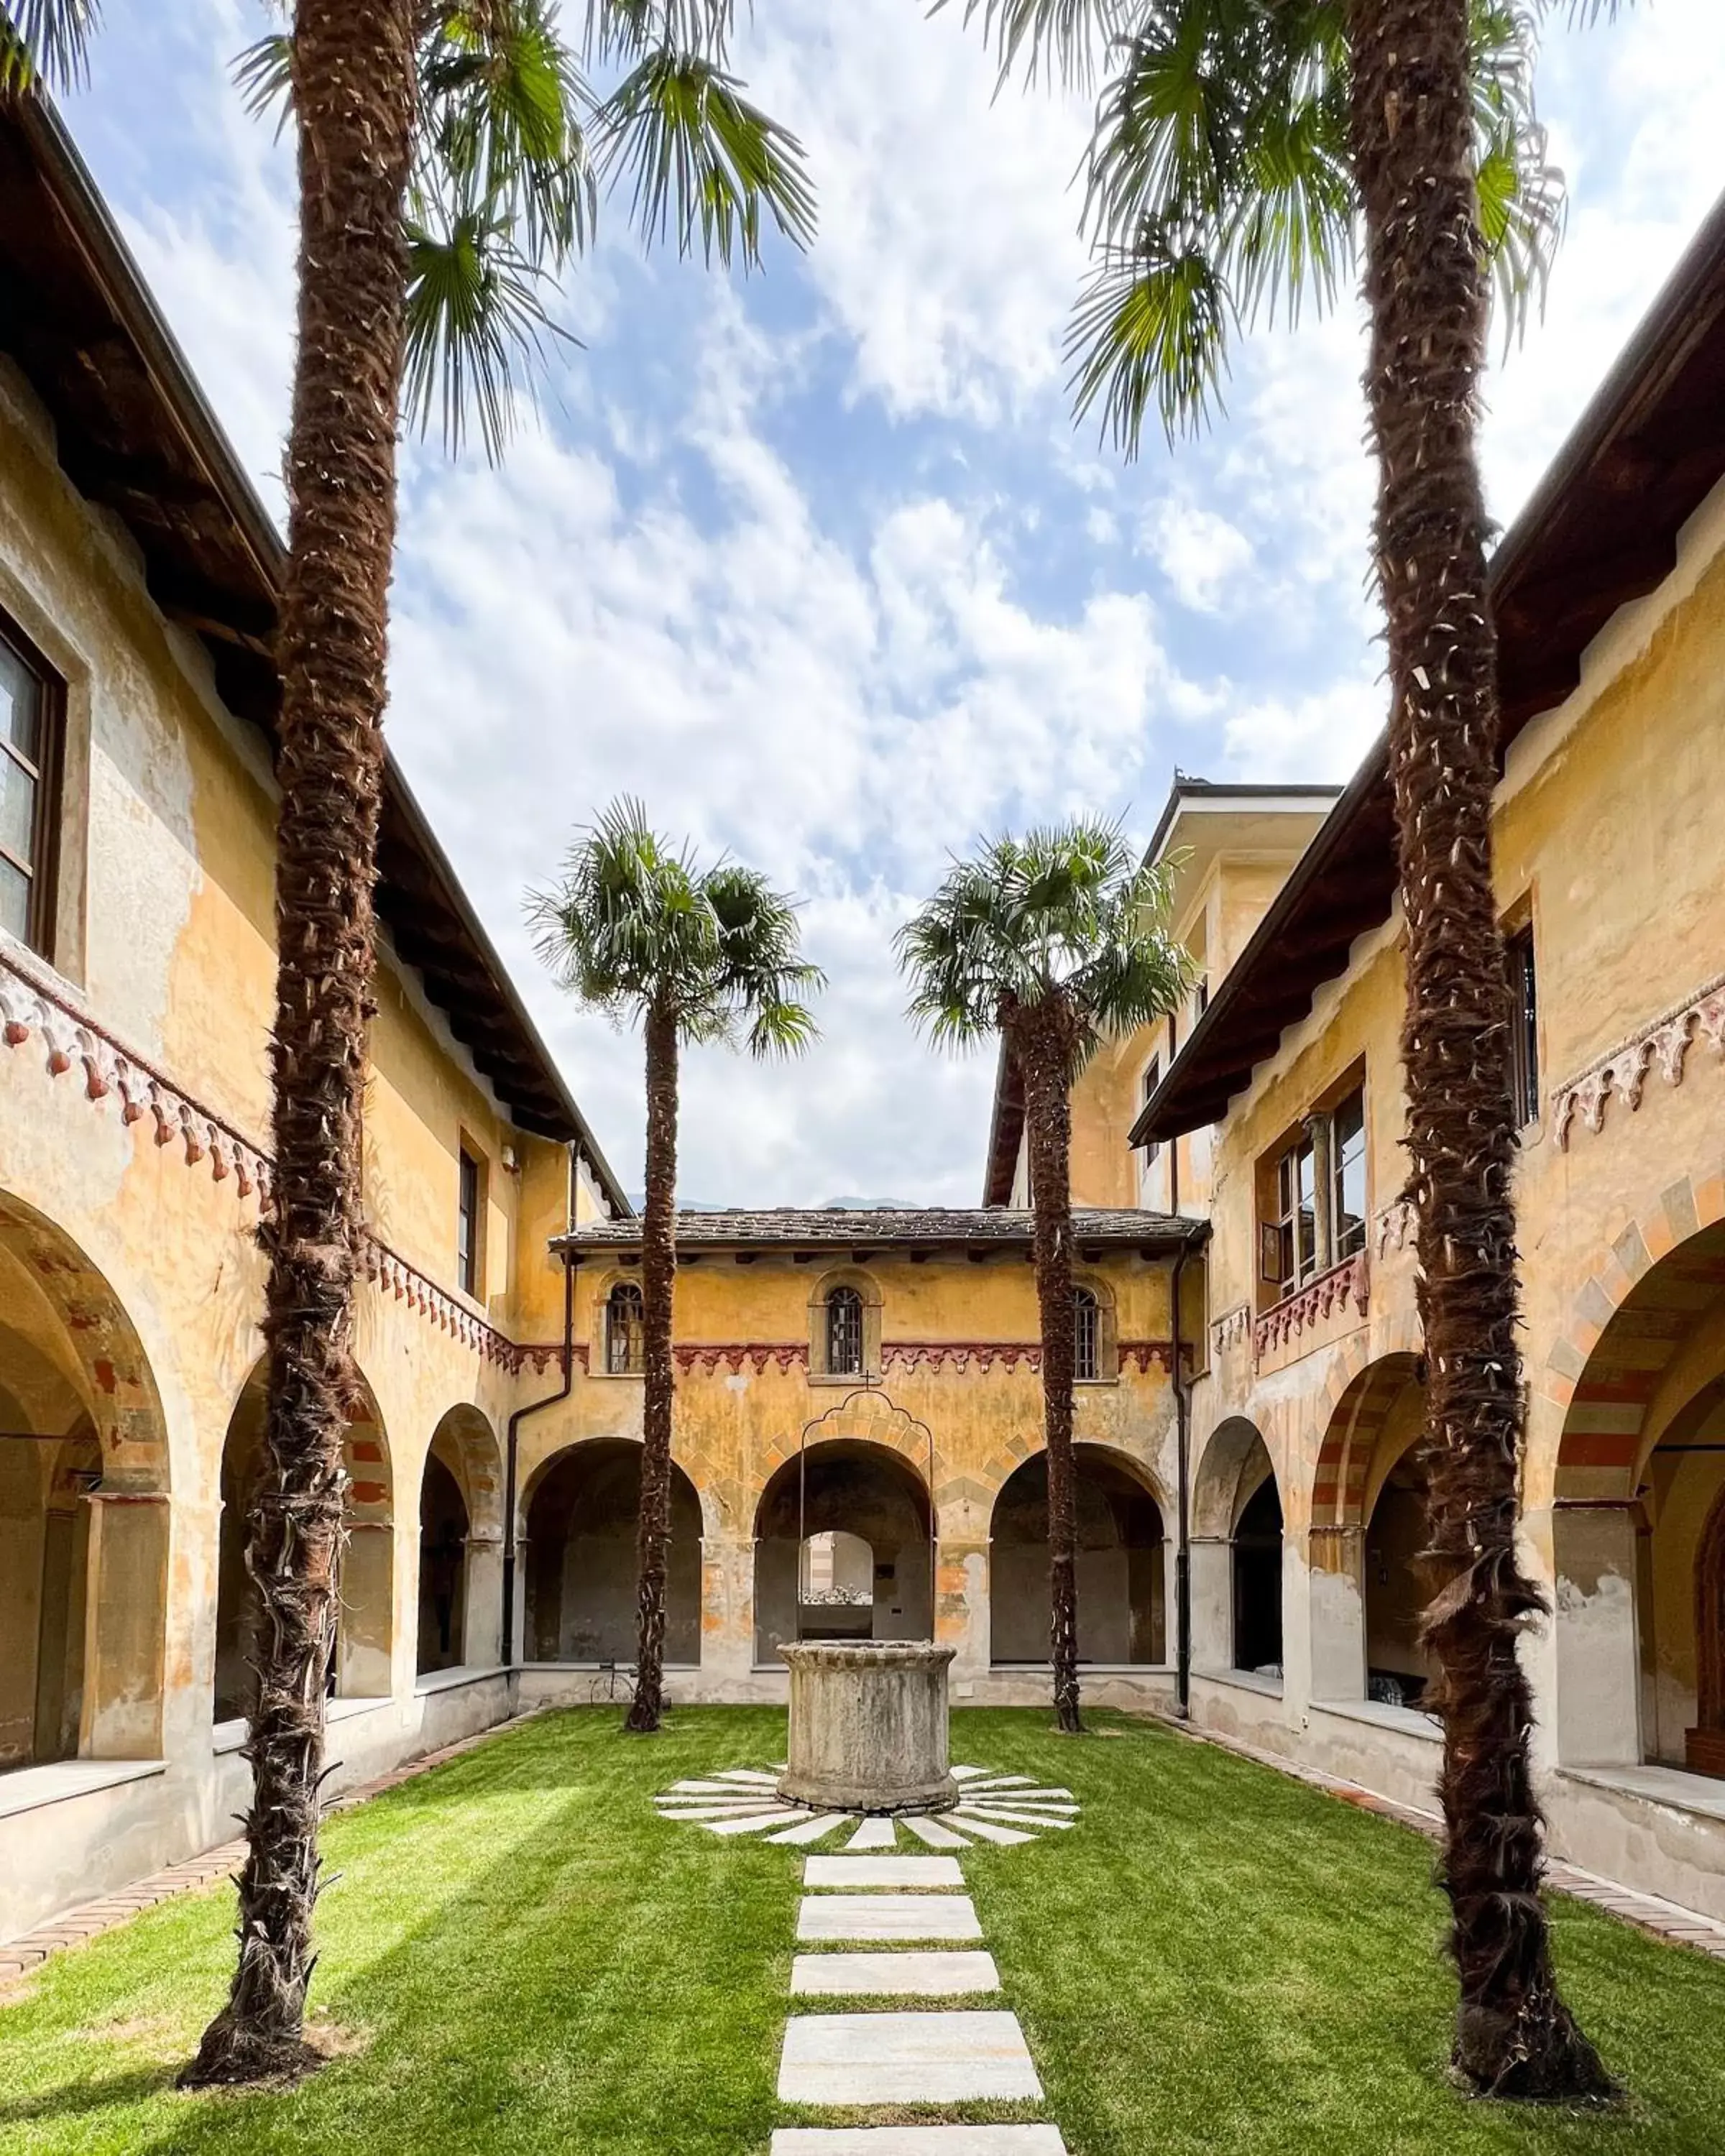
447, 156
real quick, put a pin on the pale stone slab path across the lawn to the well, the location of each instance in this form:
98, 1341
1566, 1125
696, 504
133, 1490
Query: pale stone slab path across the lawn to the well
933, 2058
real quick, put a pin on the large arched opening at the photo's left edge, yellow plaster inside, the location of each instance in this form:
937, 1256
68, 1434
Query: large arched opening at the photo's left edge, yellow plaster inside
83, 1508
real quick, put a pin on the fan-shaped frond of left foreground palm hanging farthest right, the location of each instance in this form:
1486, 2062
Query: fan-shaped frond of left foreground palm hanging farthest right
700, 158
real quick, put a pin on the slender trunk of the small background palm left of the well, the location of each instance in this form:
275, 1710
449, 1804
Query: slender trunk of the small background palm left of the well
659, 1284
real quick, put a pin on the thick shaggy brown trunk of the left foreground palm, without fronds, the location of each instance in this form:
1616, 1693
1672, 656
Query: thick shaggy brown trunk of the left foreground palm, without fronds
355, 89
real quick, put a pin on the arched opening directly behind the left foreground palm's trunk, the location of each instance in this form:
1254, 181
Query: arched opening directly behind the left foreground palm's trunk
365, 1627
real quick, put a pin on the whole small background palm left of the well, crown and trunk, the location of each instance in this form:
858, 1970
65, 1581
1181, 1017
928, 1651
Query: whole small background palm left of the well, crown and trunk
639, 932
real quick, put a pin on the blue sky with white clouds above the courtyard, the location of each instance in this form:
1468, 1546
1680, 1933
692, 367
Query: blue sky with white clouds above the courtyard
816, 562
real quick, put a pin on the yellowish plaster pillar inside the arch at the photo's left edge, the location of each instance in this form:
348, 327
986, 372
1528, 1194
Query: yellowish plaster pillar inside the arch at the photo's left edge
126, 1614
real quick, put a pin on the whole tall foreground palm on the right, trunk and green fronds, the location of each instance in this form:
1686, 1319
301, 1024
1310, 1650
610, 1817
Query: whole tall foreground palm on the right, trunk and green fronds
1239, 150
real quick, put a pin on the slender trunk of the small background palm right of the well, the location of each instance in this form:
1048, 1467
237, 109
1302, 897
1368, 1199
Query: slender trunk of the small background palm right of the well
1049, 1124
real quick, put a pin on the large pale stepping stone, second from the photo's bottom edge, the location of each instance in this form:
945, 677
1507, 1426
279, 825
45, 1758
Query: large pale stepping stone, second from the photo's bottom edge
961, 2058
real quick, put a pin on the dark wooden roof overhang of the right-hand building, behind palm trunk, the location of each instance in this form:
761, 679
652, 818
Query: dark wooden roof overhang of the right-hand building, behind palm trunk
1599, 531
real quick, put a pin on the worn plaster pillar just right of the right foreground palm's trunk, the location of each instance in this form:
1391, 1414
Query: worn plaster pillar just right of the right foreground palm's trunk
1597, 1633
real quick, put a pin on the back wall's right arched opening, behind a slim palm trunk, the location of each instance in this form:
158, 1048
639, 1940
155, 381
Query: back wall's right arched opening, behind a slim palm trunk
1122, 1562
